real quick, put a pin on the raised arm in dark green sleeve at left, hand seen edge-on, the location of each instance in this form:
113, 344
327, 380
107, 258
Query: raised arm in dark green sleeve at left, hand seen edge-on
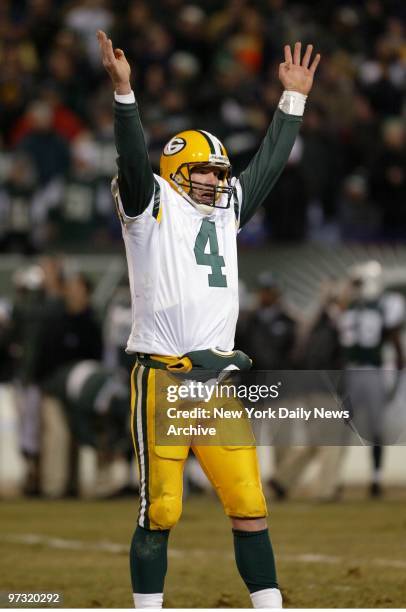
135, 177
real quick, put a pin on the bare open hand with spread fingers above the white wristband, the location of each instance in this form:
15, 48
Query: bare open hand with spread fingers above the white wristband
295, 73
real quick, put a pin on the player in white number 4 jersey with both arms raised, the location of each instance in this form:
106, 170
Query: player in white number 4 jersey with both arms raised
179, 230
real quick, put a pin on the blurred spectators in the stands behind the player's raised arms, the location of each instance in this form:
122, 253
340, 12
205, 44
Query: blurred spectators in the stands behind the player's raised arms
210, 65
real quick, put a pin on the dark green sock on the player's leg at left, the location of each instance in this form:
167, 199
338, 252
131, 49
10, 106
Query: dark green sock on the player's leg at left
148, 560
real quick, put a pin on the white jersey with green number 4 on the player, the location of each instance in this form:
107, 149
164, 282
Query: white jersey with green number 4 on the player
183, 275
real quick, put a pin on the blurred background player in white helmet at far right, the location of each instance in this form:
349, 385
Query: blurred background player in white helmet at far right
372, 318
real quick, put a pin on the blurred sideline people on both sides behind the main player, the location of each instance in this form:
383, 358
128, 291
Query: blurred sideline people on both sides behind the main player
65, 380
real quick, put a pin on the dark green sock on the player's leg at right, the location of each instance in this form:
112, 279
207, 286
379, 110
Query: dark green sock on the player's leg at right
255, 560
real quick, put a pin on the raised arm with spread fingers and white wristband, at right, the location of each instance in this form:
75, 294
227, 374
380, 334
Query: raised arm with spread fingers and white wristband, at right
266, 166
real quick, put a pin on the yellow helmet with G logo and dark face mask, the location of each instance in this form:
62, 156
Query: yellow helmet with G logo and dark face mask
194, 149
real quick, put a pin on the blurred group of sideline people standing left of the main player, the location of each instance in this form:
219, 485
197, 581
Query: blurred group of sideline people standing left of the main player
64, 385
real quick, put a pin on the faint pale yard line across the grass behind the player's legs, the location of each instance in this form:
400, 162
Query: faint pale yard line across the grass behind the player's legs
35, 539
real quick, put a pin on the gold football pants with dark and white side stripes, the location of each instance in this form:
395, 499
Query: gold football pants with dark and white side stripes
233, 471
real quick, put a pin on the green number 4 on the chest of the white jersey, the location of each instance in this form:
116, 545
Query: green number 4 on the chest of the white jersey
207, 234
